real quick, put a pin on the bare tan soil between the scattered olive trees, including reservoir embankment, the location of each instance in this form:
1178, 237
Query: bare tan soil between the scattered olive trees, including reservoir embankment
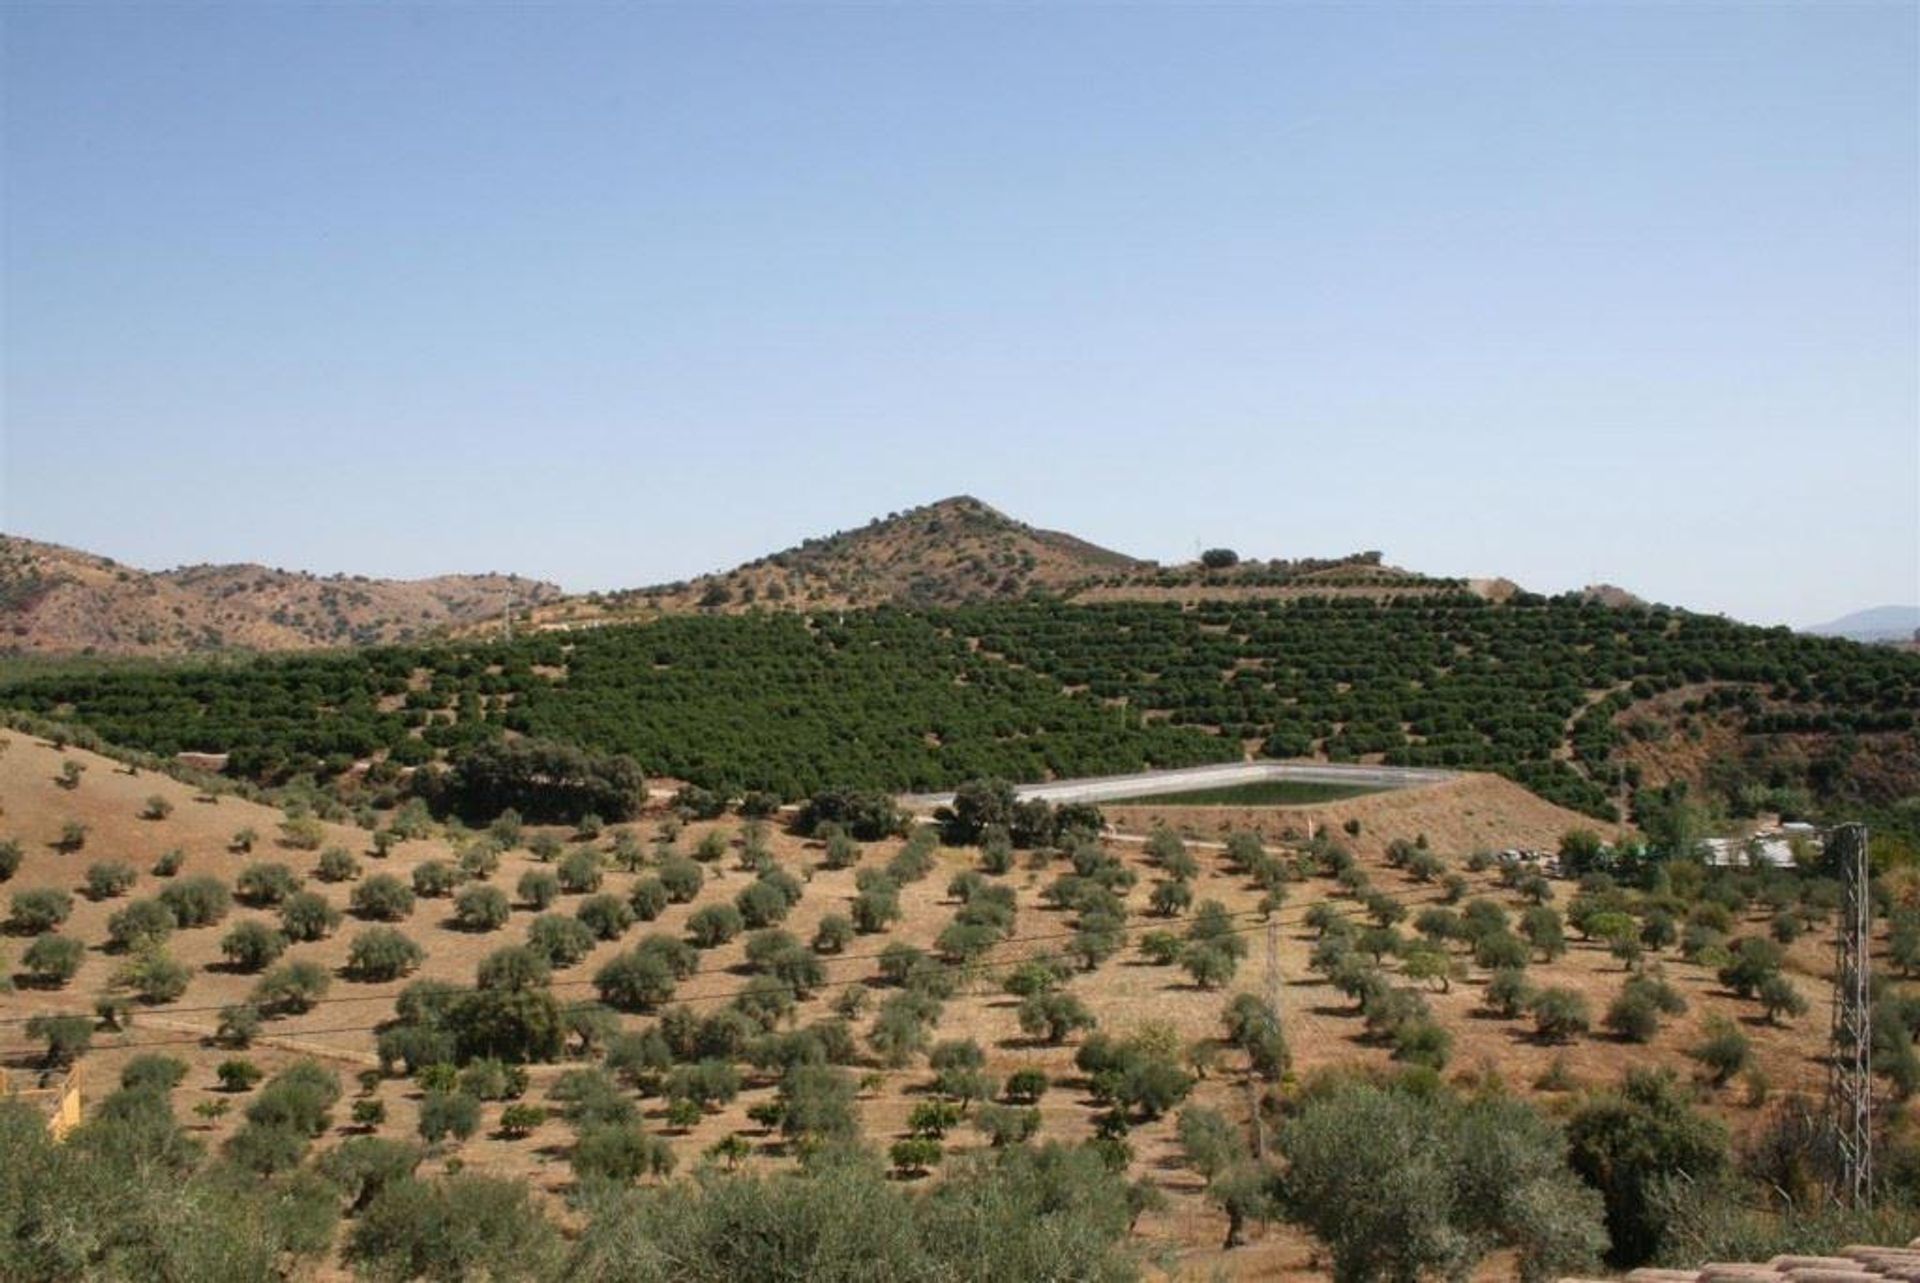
1126, 994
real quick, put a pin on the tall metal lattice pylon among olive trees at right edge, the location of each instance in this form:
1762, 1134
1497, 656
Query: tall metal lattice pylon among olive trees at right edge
1850, 1082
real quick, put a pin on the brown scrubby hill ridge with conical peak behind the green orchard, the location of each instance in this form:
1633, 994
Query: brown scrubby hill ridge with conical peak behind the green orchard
59, 600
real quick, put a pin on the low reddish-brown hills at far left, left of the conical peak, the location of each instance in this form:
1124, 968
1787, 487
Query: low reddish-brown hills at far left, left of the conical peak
57, 600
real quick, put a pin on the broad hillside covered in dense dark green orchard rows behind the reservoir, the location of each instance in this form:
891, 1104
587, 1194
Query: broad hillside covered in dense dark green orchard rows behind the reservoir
1581, 702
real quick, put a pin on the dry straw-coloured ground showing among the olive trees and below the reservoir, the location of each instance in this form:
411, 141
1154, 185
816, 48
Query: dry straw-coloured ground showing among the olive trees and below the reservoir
1124, 994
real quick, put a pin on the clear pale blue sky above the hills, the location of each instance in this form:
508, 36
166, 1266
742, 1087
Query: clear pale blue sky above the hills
617, 295
